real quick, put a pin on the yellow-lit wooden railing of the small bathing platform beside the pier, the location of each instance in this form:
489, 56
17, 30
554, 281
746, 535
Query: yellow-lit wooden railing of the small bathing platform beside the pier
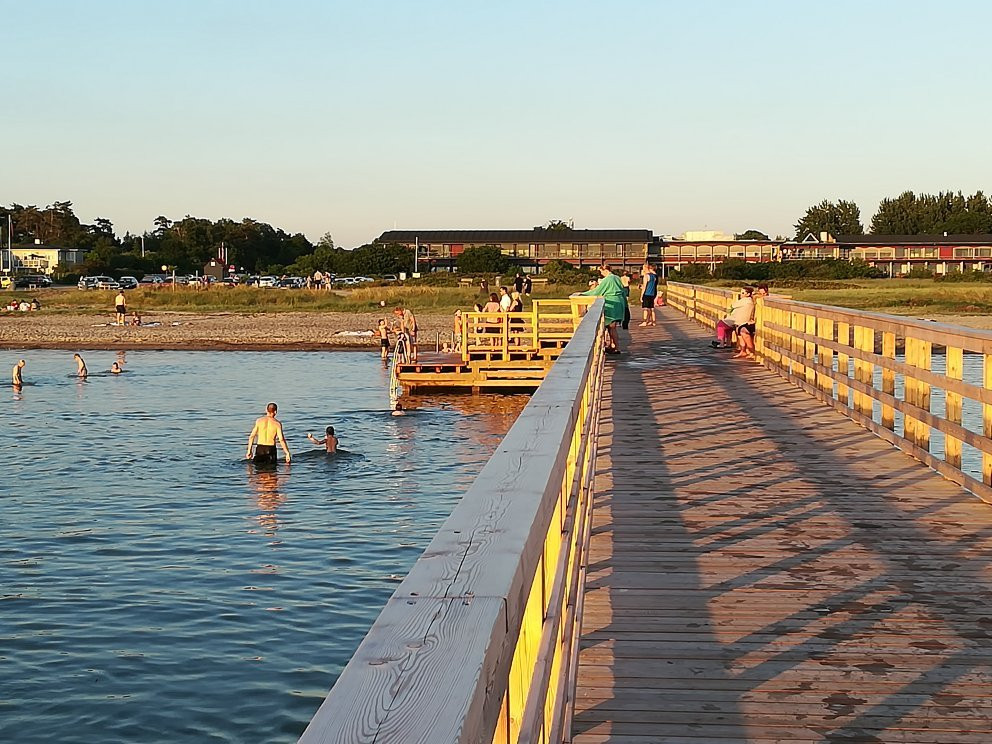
501, 335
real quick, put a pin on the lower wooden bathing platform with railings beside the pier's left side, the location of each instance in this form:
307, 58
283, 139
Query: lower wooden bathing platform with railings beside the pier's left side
499, 351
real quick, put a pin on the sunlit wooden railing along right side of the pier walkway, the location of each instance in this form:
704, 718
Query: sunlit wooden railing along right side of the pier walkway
883, 371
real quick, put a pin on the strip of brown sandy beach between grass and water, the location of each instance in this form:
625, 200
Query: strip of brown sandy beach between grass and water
202, 331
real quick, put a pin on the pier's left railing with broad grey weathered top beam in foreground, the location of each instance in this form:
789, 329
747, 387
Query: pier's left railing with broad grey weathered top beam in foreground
478, 642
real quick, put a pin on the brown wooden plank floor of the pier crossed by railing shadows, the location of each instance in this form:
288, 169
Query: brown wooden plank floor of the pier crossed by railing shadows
764, 570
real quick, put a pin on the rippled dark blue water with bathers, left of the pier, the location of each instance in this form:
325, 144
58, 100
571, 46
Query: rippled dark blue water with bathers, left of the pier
156, 588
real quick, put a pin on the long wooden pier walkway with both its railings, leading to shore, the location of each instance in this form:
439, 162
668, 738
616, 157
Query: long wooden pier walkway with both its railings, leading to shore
677, 547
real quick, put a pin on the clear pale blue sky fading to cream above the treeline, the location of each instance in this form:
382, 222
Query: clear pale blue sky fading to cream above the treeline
357, 117
